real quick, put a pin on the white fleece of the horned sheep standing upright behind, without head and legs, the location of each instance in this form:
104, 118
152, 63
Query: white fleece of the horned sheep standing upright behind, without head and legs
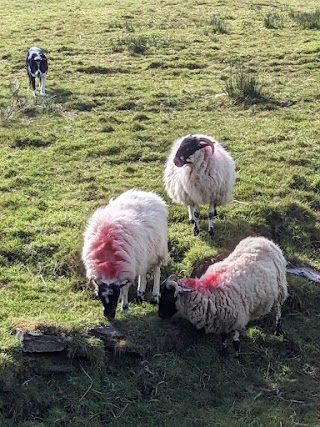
208, 178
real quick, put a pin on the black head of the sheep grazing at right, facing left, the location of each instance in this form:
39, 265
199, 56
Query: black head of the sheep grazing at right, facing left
168, 297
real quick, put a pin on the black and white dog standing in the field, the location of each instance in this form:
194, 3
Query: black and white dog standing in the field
37, 67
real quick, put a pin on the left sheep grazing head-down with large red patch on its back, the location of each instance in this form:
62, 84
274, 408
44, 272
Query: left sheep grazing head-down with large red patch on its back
122, 241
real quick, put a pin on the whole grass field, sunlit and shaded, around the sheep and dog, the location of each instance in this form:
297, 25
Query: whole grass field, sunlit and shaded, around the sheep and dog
125, 79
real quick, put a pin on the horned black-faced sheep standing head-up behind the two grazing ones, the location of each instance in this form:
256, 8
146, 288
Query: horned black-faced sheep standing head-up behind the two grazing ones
199, 171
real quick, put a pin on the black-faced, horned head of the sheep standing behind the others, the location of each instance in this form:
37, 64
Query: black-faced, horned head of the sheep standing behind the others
189, 145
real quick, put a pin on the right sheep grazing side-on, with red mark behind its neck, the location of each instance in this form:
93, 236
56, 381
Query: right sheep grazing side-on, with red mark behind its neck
243, 287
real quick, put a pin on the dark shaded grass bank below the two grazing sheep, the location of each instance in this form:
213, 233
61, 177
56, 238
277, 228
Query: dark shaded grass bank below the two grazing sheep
160, 361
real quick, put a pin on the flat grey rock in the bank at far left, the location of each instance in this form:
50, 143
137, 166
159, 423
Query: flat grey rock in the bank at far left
38, 342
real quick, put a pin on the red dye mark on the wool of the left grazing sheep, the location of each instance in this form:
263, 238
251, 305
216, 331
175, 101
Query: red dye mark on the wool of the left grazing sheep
106, 254
